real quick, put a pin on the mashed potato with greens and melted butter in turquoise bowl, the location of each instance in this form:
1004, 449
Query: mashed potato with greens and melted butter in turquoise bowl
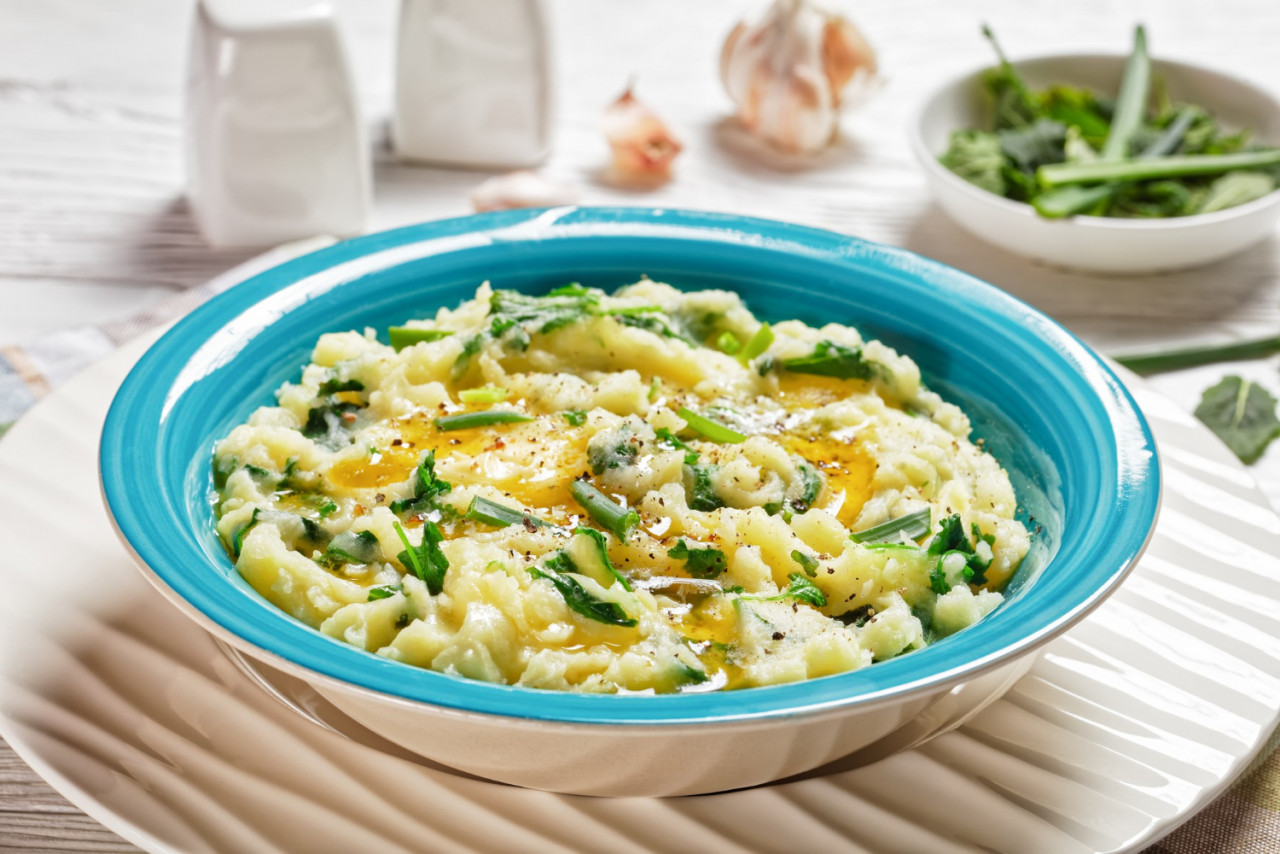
642, 492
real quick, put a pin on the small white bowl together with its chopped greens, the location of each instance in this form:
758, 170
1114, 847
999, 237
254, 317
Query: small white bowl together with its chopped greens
1105, 163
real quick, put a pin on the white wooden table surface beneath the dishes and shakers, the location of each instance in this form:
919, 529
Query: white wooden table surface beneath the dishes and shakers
93, 223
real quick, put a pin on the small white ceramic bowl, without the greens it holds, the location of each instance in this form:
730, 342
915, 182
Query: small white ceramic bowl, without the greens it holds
1099, 244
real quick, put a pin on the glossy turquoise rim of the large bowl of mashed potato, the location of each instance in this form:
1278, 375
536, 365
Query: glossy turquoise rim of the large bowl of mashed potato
139, 409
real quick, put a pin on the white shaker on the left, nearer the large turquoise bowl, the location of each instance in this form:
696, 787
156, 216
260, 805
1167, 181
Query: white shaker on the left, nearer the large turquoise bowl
276, 144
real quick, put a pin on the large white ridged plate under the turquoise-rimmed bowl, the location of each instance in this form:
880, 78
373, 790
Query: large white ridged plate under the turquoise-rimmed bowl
1126, 727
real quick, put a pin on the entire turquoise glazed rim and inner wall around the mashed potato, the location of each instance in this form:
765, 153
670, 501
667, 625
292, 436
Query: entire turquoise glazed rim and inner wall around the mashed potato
1073, 441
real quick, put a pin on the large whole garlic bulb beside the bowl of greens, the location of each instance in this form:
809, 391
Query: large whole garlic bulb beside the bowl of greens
793, 71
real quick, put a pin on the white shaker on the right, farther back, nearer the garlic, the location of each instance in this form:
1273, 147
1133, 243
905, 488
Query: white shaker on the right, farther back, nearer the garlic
474, 83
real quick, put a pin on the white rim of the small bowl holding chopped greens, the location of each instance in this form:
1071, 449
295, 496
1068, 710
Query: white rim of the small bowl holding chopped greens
929, 159
